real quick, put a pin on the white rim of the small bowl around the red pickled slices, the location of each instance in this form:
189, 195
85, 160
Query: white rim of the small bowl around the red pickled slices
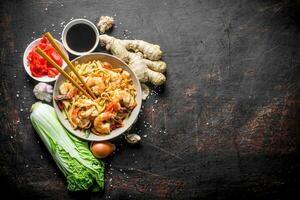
26, 65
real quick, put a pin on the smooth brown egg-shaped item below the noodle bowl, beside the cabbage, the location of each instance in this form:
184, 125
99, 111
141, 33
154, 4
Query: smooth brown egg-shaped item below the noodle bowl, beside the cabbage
102, 149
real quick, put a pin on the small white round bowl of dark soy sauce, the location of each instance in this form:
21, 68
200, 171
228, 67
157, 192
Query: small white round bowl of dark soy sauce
80, 37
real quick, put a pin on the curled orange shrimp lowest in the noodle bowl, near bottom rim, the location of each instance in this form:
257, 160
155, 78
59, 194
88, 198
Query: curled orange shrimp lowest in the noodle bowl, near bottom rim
99, 126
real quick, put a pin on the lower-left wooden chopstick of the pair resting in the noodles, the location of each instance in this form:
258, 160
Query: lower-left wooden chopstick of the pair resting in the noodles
44, 55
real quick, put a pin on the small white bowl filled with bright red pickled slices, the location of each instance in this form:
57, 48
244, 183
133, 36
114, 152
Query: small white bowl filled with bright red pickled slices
36, 66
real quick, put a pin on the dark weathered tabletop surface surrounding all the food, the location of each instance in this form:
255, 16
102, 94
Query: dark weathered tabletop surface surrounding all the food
224, 126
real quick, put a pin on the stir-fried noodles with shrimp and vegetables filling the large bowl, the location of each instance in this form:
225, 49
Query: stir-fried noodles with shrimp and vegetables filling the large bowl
115, 100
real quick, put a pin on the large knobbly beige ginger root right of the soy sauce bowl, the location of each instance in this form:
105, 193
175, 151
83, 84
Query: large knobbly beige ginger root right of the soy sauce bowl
142, 57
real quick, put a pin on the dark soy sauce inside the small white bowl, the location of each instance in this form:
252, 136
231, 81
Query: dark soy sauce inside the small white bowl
81, 37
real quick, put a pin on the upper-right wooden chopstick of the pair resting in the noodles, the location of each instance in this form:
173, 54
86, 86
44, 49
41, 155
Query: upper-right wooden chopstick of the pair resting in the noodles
63, 55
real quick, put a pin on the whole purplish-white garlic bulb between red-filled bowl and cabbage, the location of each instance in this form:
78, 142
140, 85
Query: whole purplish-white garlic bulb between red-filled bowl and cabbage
43, 91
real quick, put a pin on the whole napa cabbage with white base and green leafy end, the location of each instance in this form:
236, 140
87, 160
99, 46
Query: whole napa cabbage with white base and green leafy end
72, 155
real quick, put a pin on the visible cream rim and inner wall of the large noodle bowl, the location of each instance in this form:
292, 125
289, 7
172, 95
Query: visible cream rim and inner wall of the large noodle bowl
86, 134
